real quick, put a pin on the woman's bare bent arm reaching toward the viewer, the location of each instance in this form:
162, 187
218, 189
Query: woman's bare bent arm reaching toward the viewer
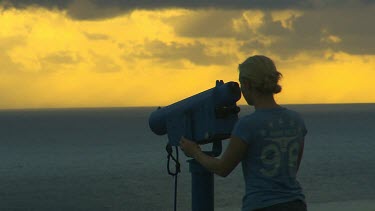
223, 166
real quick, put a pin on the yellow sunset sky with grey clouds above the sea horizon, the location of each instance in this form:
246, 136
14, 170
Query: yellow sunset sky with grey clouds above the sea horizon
119, 53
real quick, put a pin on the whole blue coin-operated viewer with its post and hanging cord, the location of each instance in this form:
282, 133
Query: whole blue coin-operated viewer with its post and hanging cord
207, 117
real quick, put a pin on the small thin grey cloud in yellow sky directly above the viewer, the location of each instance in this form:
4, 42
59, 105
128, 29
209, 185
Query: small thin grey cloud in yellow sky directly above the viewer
196, 53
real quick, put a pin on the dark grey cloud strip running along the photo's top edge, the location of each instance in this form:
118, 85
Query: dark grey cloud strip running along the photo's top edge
96, 9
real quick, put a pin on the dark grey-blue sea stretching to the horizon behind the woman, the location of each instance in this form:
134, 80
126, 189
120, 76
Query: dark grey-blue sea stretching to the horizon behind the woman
108, 159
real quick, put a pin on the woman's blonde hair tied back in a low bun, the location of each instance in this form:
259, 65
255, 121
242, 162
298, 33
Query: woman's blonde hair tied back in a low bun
260, 71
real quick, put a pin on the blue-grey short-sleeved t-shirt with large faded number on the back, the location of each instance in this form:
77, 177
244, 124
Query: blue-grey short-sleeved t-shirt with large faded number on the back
274, 137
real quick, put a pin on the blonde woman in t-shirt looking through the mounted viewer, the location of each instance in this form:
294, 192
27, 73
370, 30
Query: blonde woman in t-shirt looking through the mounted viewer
268, 142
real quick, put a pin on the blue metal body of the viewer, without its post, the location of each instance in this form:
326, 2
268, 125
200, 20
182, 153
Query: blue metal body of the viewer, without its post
204, 118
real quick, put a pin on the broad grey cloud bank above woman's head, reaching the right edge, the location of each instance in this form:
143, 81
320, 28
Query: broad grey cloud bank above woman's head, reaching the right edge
285, 33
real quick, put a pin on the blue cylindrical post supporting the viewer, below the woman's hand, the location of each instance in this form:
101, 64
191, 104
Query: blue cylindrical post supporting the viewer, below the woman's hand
202, 187
